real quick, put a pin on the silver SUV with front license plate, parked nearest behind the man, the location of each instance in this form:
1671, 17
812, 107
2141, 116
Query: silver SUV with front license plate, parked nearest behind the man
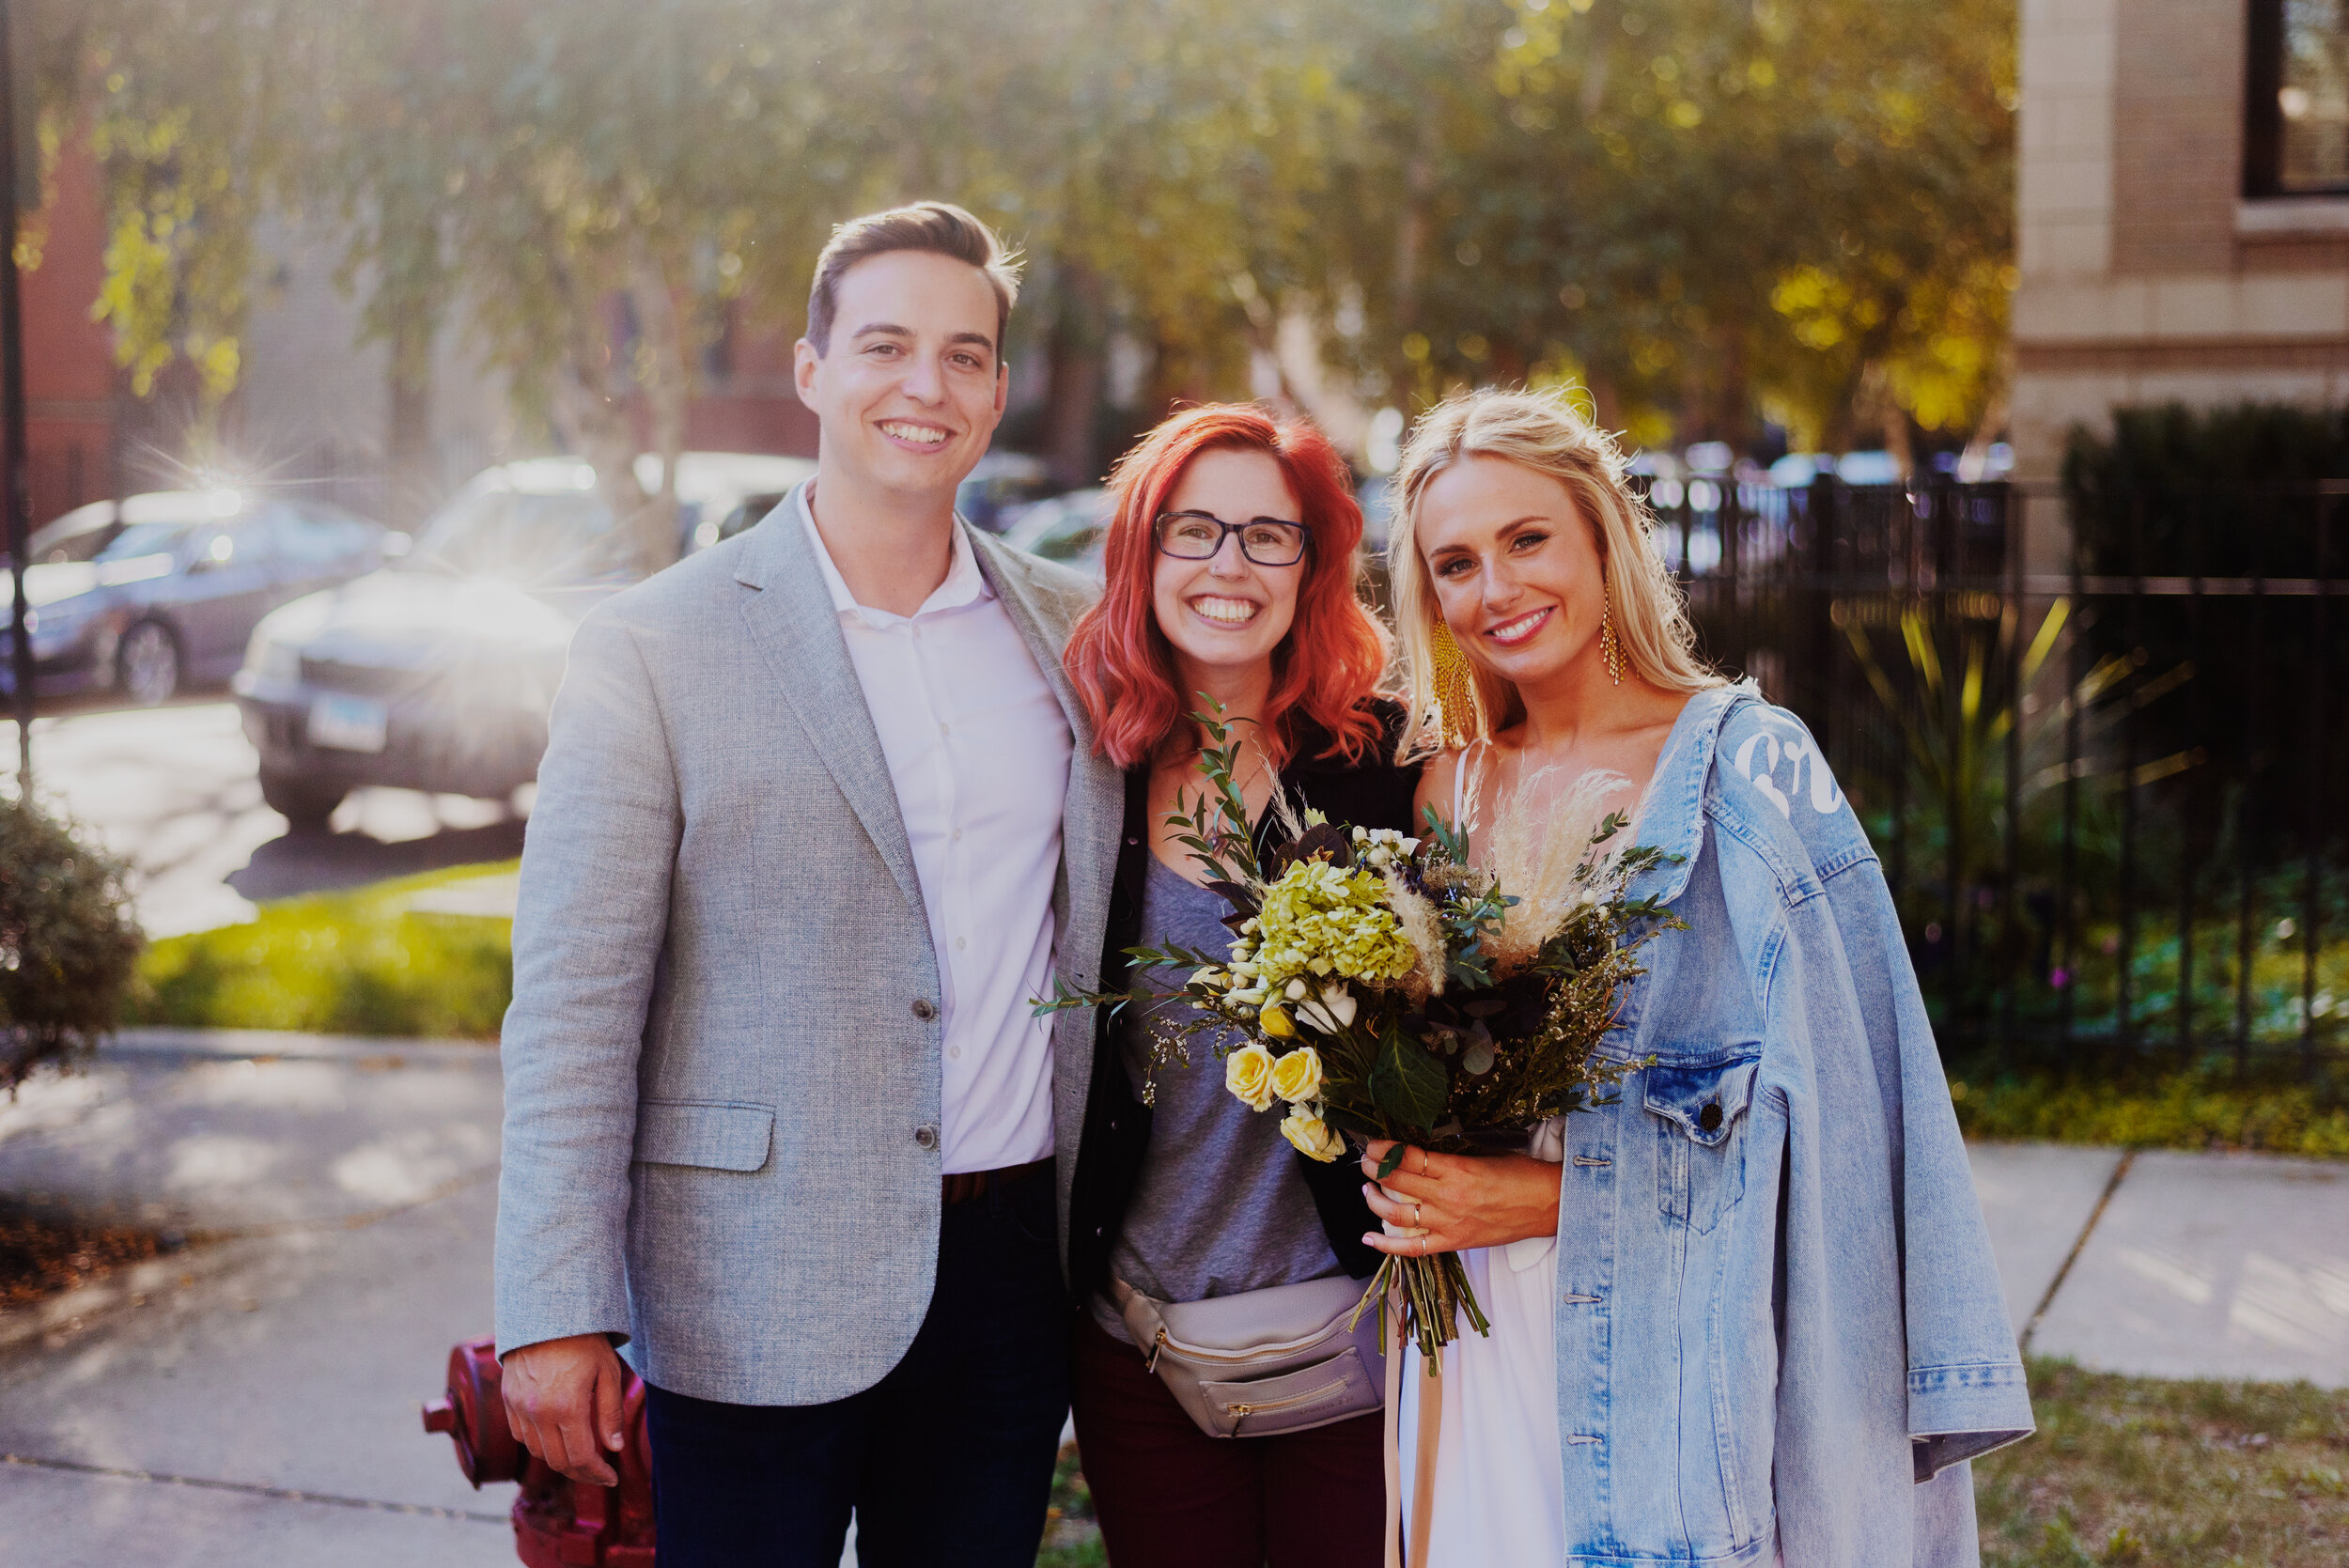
438, 675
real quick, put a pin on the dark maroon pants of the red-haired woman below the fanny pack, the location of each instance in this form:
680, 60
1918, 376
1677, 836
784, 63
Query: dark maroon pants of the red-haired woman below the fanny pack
1173, 1496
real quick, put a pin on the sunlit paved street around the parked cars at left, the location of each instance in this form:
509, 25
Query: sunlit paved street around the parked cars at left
175, 792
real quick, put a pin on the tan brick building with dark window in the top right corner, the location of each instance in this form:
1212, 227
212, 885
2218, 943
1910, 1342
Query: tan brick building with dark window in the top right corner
2183, 210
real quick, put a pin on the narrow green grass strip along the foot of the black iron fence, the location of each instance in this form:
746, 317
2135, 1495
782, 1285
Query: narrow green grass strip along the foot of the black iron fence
2183, 1109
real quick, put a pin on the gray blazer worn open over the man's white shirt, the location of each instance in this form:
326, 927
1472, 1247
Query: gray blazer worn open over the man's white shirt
725, 1034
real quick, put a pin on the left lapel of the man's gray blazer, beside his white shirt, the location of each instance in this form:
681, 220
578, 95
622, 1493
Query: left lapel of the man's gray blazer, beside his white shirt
793, 621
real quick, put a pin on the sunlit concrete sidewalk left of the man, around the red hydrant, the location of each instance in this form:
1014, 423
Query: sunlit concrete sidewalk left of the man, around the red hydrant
260, 1400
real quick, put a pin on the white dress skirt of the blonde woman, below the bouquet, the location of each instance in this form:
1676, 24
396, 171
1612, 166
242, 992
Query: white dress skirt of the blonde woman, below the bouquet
1500, 1485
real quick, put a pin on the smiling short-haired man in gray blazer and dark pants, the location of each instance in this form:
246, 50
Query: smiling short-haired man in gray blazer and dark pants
819, 818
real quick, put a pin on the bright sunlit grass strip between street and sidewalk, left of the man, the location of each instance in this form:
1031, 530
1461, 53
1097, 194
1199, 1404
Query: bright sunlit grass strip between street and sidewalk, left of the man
346, 964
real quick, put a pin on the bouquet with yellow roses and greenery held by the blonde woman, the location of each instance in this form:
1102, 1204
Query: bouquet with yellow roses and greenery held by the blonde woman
1389, 989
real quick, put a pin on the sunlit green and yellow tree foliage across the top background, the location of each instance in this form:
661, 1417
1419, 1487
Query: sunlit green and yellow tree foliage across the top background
1709, 212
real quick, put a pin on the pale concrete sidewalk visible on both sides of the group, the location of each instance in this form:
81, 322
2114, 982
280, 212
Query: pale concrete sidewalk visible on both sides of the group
253, 1400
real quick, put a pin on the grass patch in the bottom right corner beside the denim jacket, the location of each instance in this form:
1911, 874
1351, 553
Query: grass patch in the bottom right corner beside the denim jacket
2146, 1473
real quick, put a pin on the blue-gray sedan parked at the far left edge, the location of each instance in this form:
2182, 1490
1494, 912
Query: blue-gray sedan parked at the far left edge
163, 590
